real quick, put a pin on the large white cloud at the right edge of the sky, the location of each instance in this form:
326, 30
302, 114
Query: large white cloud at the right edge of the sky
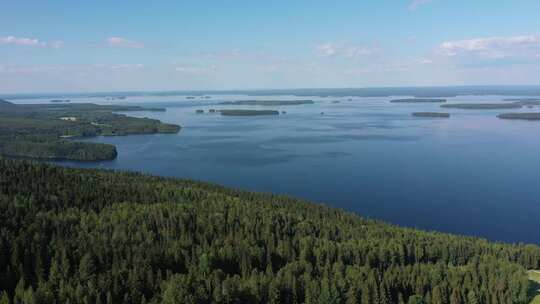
493, 47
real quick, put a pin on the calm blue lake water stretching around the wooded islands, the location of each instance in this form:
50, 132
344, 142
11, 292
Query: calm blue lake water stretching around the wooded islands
471, 174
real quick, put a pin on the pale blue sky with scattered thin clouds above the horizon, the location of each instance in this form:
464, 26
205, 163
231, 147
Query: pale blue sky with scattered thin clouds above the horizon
135, 45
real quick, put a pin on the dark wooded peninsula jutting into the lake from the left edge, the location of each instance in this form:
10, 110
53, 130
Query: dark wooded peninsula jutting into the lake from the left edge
44, 130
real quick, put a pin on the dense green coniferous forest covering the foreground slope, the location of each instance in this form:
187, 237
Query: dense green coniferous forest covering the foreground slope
91, 236
